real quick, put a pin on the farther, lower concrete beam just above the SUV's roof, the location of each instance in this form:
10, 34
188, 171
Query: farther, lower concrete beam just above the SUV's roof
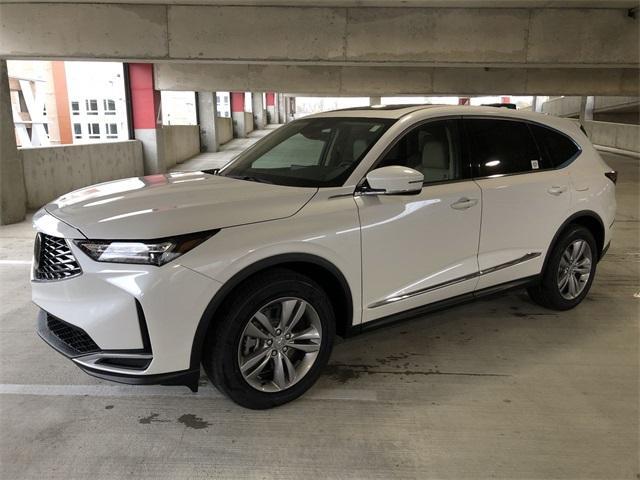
374, 81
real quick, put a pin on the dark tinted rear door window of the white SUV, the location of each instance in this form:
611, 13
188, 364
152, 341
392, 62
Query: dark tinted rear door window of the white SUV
502, 146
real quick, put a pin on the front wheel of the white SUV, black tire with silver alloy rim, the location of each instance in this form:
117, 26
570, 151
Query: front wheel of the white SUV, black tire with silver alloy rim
241, 336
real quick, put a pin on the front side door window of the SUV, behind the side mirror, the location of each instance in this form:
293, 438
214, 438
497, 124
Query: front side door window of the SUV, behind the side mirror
431, 148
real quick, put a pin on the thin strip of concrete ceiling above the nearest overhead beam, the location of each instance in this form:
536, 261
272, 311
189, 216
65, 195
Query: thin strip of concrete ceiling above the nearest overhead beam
377, 3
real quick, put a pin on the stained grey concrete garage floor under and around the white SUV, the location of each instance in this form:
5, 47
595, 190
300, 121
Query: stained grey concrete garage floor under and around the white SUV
495, 389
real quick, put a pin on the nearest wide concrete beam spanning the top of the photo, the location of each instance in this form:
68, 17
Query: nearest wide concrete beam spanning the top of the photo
400, 36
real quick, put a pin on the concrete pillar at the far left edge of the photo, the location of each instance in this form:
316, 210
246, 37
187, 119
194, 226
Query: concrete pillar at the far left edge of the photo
13, 197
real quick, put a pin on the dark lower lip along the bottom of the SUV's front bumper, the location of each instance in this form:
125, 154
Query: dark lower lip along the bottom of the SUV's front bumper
189, 378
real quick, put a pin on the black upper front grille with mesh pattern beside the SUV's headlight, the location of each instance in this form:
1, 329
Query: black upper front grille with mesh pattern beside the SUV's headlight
53, 259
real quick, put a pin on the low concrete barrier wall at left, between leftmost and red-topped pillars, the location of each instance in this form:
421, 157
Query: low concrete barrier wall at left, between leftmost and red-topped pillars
53, 171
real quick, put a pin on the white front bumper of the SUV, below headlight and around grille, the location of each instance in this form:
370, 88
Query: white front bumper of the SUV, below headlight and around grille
141, 319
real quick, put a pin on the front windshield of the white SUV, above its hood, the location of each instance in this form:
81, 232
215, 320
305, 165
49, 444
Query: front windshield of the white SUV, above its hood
310, 152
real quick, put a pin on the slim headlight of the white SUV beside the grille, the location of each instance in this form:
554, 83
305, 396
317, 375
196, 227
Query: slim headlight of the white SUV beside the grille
148, 252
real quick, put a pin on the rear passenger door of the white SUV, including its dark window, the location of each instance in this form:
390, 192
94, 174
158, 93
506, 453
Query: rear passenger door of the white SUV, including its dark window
524, 199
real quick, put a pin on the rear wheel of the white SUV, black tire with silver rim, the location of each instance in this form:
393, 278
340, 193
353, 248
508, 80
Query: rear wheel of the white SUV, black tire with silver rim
553, 292
